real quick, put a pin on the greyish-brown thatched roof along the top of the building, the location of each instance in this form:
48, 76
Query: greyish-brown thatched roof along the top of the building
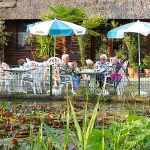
111, 9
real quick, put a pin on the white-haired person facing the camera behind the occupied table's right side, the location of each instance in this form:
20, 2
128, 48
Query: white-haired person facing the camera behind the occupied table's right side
102, 64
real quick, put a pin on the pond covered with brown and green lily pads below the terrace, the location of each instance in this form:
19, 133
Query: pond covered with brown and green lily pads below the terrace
16, 117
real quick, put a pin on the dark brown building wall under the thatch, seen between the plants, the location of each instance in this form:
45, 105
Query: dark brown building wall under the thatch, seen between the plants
13, 52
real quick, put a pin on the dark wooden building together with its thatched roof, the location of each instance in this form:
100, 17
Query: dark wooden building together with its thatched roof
18, 13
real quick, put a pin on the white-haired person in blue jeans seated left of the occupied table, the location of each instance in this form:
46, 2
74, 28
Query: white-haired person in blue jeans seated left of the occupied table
65, 69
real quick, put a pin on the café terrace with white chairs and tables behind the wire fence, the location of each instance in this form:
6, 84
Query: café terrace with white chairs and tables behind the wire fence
43, 78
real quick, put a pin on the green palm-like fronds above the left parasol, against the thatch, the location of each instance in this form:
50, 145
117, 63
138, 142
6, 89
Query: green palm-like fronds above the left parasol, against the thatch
62, 12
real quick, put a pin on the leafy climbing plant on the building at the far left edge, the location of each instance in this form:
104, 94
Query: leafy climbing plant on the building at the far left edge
3, 40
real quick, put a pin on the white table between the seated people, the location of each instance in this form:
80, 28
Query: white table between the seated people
92, 73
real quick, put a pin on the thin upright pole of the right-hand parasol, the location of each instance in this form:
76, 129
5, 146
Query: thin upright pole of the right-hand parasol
139, 63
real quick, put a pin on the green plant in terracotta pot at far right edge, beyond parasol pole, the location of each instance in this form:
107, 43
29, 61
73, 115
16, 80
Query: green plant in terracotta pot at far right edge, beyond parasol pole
146, 66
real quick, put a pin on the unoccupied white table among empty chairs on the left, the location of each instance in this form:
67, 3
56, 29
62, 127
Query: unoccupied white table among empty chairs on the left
18, 72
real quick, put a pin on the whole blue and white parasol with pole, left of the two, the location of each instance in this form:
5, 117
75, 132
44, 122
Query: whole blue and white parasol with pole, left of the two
56, 28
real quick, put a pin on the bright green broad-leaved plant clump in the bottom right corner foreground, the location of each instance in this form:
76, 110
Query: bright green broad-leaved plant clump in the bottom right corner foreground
132, 134
